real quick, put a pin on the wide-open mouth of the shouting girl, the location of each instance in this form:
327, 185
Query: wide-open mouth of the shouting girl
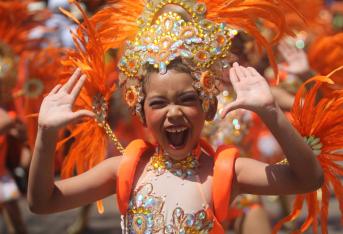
177, 136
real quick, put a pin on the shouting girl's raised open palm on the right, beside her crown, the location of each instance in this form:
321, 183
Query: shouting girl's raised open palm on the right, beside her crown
252, 90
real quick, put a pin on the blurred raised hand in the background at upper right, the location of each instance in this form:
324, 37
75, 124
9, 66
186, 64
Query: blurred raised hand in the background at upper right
296, 59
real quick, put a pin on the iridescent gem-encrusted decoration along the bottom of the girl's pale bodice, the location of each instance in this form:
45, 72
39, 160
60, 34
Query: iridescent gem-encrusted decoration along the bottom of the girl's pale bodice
145, 216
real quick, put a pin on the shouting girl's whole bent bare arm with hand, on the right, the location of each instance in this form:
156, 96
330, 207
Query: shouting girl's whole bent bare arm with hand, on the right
303, 173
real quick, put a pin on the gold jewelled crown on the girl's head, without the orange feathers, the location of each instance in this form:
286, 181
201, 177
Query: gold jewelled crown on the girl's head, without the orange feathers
198, 42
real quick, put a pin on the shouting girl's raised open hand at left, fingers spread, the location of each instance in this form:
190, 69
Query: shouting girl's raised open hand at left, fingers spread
56, 109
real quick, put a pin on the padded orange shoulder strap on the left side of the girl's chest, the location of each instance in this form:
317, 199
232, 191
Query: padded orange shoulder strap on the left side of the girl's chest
126, 172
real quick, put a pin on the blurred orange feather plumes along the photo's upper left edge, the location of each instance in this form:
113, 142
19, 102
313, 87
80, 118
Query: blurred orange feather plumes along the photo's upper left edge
16, 24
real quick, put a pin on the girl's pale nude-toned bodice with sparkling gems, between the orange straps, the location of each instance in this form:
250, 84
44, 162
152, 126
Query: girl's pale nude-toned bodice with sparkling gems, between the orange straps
168, 204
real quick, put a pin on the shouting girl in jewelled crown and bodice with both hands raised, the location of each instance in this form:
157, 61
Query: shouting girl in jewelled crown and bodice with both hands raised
180, 185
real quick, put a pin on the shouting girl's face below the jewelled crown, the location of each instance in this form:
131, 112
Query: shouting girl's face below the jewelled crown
173, 112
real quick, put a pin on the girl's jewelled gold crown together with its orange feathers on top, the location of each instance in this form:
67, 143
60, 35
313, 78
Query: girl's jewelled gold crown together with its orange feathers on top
200, 32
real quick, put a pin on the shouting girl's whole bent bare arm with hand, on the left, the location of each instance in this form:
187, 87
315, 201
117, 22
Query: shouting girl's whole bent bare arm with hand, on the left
44, 194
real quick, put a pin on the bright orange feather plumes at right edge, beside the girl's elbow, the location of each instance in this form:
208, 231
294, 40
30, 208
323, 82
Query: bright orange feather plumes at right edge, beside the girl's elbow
320, 123
